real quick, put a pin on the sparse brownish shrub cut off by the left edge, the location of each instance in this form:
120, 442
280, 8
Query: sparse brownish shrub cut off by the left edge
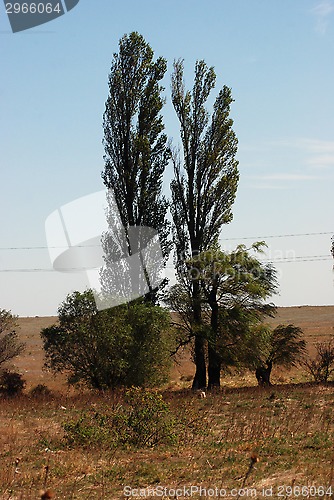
10, 346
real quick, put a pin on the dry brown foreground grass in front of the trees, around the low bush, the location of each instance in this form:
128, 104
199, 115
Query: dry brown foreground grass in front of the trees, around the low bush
290, 428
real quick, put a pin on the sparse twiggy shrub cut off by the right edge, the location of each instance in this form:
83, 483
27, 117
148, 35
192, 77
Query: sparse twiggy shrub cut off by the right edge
322, 366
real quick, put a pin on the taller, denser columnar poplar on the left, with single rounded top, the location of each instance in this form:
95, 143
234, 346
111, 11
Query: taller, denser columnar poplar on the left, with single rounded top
136, 151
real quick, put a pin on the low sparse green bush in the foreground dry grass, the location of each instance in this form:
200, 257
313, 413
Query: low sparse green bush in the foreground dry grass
144, 420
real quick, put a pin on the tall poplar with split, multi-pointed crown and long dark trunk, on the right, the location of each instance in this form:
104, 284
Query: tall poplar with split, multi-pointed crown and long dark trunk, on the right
204, 185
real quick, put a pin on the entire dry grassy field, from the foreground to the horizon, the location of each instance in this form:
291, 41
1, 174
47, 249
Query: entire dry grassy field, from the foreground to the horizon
287, 429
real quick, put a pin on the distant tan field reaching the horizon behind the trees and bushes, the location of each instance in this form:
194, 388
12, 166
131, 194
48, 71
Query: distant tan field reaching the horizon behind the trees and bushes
317, 323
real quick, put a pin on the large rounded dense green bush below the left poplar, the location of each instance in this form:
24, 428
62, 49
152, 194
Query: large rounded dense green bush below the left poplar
123, 345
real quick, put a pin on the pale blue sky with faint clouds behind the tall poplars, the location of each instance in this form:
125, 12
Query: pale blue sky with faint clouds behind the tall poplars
276, 55
